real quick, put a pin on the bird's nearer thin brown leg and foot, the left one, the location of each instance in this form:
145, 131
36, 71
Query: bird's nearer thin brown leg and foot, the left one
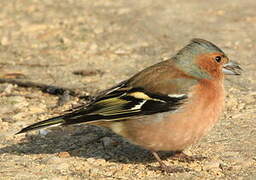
165, 168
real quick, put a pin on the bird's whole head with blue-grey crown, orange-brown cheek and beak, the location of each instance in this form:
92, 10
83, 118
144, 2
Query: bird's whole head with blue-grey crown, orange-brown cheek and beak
204, 60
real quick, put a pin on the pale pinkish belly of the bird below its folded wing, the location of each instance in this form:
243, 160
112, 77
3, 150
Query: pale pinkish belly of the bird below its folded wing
175, 132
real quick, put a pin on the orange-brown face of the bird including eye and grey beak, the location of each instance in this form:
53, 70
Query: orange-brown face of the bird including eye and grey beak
217, 64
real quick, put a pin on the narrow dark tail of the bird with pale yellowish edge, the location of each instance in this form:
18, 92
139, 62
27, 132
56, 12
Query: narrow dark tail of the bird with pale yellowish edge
56, 121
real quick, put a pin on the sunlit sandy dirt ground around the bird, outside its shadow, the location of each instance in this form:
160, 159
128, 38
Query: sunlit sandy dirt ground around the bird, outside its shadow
45, 41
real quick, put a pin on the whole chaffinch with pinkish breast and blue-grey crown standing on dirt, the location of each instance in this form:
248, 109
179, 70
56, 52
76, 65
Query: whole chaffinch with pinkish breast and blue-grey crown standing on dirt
165, 107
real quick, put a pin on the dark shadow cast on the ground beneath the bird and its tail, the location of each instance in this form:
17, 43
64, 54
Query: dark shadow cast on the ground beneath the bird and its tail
87, 142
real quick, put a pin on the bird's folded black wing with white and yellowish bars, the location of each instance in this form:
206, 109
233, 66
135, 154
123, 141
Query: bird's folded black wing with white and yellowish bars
124, 104
